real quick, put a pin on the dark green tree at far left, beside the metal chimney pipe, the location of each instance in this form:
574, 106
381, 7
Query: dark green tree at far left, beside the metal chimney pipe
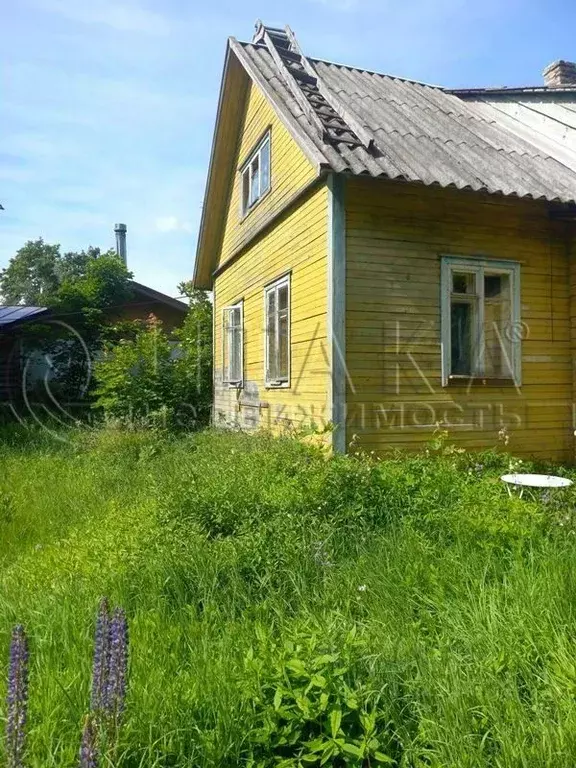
80, 288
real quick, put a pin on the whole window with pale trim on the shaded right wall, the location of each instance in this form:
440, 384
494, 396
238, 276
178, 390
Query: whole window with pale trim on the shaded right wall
481, 330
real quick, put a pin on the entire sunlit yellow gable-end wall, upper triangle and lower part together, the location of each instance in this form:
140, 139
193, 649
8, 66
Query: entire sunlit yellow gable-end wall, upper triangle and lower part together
296, 243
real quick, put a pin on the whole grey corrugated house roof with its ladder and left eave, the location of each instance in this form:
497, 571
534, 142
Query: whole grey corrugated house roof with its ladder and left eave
517, 142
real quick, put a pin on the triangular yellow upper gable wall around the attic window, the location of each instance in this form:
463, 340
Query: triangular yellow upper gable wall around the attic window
290, 171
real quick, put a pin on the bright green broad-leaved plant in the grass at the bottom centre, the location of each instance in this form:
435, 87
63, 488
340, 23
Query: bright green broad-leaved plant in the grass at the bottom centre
310, 709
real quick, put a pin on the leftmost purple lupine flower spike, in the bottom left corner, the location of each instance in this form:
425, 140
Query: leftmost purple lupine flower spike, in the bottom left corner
17, 698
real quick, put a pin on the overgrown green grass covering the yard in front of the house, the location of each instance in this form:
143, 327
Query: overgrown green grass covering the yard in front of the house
285, 607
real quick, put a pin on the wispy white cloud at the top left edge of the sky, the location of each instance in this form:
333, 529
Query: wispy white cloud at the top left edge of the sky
127, 17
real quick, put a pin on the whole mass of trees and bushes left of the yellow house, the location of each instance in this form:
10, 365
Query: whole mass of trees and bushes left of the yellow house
145, 373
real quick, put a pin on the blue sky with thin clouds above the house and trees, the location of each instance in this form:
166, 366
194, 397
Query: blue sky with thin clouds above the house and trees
107, 107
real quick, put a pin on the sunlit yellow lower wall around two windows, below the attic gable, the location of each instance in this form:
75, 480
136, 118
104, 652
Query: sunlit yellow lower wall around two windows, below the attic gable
297, 244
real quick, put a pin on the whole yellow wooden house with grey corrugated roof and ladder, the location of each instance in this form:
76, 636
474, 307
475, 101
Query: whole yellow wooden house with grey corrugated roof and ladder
387, 255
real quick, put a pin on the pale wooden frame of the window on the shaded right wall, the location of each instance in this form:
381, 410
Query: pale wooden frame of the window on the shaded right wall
478, 267
